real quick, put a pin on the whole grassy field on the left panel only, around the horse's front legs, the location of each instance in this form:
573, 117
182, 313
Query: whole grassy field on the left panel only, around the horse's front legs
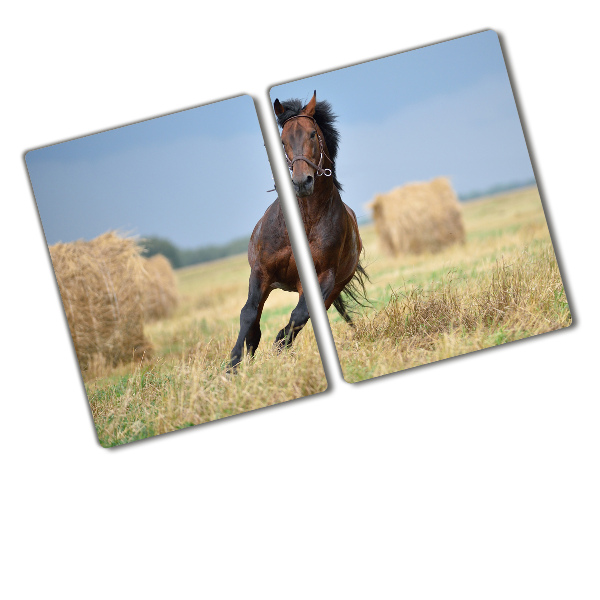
186, 383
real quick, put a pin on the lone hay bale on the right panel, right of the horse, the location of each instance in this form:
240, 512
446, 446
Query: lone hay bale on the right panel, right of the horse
418, 217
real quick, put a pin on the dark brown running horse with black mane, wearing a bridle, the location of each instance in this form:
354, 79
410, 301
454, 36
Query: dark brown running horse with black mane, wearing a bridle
310, 142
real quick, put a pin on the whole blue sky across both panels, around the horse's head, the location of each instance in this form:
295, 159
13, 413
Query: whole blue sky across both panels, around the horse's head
446, 109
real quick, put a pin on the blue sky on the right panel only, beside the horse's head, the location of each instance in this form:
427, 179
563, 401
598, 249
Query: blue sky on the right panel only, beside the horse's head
447, 109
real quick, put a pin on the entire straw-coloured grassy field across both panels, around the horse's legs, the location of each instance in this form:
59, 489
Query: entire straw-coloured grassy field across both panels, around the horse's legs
502, 285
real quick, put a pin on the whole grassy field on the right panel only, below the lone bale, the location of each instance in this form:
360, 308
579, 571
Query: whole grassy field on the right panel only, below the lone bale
503, 286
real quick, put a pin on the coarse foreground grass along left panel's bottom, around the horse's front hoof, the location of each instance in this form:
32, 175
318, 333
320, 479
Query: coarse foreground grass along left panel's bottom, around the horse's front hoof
174, 394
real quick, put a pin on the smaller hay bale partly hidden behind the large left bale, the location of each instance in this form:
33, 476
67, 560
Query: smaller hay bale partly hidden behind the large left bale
160, 296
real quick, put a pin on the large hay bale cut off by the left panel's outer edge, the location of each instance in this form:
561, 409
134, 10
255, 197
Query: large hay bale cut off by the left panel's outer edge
101, 284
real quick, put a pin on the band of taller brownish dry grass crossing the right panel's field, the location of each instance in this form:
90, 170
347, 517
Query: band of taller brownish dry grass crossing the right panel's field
525, 294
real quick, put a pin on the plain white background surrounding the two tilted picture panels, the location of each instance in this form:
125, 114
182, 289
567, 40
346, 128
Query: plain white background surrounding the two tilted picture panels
472, 478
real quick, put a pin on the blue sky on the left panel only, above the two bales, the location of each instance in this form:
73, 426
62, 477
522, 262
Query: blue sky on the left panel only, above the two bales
196, 177
